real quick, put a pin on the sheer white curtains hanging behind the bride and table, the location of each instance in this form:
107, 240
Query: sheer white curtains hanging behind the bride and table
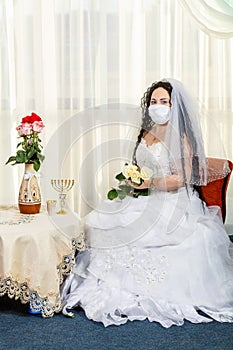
83, 65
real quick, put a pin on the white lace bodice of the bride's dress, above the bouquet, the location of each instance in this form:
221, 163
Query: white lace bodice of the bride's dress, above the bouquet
154, 157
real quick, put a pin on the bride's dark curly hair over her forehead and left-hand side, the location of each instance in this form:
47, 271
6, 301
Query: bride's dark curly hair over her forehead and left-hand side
147, 122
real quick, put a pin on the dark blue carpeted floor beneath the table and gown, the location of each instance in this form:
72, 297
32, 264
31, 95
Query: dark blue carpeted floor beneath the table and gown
21, 331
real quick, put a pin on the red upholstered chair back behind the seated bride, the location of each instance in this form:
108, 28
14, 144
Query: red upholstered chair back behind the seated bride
214, 193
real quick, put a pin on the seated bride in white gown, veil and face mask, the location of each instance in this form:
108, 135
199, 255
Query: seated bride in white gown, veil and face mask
166, 256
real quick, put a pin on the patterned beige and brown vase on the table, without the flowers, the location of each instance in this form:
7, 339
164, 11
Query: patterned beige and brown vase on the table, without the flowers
29, 200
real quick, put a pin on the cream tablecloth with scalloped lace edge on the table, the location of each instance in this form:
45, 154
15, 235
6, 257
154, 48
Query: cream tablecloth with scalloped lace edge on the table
36, 251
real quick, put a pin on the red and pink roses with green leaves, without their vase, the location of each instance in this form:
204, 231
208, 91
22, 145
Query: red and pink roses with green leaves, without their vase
30, 146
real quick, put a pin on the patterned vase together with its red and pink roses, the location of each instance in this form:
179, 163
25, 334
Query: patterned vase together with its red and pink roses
29, 153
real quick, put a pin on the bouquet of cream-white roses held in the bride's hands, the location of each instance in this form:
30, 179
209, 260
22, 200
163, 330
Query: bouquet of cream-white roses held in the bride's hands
137, 175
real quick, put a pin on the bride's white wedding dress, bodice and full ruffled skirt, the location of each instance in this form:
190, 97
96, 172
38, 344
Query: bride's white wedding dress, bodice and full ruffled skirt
163, 257
